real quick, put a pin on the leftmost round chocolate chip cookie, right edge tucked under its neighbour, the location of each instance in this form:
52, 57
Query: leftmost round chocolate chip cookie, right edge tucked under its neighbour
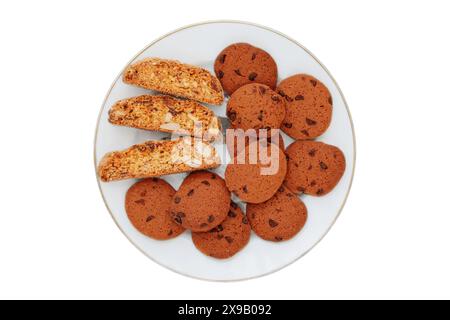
147, 204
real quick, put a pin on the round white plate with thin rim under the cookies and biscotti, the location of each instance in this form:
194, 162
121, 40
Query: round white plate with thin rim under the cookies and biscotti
199, 45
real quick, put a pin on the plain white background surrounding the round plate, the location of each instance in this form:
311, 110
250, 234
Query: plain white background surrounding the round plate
57, 61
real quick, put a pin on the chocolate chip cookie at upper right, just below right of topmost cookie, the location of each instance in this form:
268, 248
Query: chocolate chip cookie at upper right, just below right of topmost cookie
309, 106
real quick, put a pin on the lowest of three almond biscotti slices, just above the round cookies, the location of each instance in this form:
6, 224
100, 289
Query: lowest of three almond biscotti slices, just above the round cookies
157, 158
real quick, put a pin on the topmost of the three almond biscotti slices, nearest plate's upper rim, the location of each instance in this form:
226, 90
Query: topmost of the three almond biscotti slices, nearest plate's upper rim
176, 78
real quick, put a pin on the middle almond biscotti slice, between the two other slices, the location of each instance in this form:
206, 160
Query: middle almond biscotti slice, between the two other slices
166, 114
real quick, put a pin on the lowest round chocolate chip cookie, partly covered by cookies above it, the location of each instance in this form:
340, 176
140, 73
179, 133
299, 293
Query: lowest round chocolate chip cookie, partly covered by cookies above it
227, 238
